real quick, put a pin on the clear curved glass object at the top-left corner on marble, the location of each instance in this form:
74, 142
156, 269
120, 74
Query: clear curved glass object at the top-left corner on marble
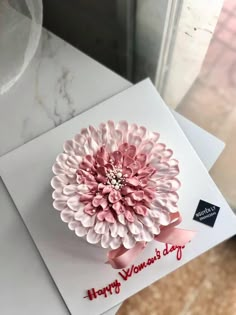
20, 30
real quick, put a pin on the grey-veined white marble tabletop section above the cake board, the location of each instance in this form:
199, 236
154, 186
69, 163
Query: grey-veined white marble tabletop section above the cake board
53, 89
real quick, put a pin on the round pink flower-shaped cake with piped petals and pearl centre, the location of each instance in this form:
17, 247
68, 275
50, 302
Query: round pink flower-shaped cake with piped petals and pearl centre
116, 184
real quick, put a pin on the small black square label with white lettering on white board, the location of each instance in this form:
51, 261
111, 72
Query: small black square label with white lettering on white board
206, 213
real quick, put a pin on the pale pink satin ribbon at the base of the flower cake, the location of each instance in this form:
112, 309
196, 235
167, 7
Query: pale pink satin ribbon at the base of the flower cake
122, 257
